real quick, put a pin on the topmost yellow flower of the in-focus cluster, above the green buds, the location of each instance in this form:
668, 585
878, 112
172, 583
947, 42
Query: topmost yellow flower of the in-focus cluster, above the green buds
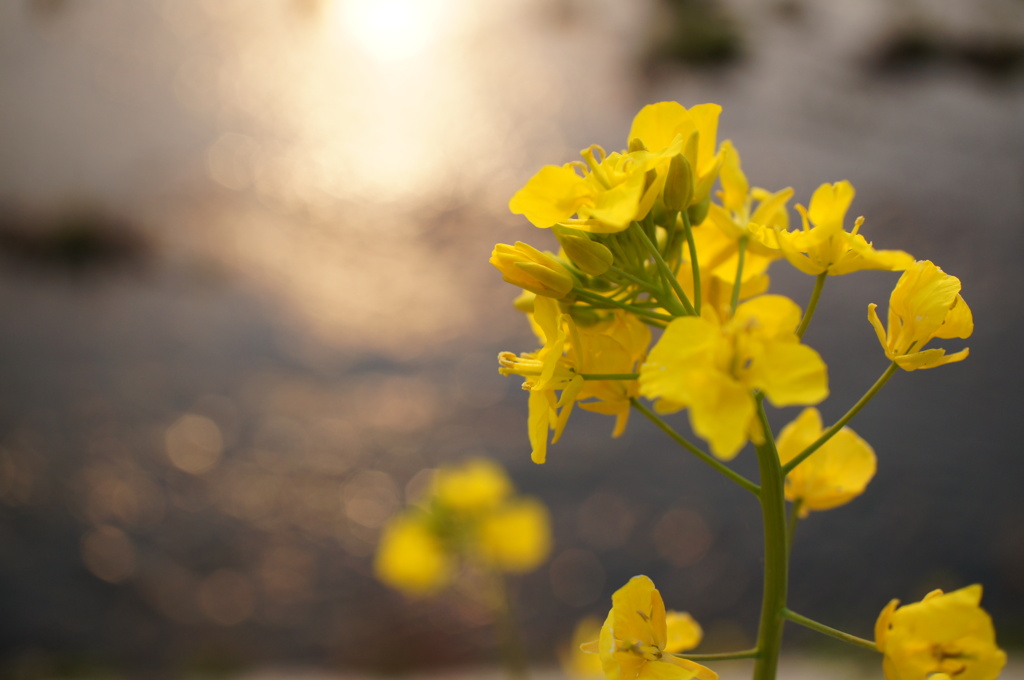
667, 125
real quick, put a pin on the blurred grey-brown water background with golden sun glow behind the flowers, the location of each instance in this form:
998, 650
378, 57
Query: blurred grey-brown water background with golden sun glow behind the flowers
247, 305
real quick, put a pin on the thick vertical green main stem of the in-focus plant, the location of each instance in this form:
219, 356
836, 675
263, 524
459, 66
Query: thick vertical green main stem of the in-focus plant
777, 560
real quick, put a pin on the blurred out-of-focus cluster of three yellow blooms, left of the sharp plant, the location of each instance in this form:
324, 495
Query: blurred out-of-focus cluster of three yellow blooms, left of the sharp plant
471, 516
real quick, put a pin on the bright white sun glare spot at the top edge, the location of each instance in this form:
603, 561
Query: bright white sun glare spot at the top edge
394, 30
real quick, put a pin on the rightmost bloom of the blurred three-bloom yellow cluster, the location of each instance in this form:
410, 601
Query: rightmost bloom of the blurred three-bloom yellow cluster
516, 537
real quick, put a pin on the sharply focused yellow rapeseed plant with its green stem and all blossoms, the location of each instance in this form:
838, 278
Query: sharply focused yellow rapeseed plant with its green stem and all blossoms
660, 290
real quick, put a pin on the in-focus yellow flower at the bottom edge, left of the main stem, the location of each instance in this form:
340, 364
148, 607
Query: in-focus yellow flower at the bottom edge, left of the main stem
634, 640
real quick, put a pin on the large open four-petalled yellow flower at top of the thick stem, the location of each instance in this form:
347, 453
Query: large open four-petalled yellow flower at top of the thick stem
712, 369
